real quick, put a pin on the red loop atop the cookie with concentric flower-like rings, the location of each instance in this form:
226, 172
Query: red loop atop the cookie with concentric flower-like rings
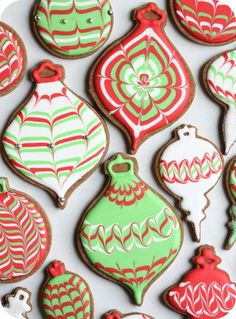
151, 14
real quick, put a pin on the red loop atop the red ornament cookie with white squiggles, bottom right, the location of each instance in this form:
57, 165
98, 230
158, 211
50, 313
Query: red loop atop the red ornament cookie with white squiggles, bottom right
207, 258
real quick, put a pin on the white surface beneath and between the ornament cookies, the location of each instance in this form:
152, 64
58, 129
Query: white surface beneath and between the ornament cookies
204, 113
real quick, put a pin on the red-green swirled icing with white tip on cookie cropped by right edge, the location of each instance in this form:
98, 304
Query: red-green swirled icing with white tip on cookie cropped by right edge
221, 76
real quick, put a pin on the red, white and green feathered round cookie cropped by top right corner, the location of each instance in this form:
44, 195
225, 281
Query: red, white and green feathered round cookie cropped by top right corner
209, 22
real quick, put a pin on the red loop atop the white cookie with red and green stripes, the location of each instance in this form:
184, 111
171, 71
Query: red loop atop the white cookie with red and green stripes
48, 72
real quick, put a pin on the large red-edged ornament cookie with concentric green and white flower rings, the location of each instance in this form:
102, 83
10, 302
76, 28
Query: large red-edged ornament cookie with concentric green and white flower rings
141, 82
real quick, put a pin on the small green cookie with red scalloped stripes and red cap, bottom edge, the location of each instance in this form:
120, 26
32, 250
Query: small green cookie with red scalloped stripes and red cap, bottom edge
66, 295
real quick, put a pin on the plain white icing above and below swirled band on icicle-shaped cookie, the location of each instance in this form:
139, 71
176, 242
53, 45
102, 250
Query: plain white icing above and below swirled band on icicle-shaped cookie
192, 194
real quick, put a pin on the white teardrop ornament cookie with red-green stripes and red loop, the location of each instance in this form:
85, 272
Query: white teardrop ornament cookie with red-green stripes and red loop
55, 139
